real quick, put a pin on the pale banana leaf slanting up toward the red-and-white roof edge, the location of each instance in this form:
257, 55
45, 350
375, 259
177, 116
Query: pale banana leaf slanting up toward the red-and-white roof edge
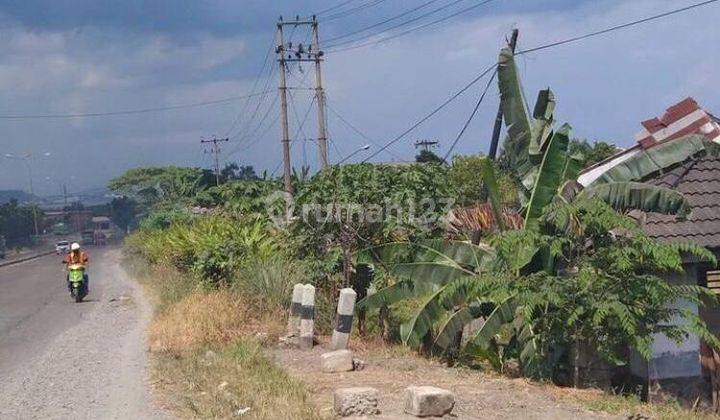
656, 159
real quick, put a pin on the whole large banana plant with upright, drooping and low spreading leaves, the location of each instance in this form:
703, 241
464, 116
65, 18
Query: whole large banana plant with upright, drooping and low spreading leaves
451, 289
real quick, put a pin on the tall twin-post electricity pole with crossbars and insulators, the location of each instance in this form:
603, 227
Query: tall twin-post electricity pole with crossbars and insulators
289, 53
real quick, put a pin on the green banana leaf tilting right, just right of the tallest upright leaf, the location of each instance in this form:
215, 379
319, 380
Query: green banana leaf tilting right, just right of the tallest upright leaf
550, 176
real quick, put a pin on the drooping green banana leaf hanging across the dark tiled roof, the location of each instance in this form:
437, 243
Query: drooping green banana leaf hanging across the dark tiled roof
623, 196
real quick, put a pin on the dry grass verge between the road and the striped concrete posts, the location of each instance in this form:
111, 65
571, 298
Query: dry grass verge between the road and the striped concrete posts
208, 355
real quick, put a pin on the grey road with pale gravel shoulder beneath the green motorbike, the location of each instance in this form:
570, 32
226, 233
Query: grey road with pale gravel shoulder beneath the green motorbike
60, 359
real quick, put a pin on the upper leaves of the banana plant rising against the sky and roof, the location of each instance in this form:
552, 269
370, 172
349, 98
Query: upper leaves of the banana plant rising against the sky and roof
546, 167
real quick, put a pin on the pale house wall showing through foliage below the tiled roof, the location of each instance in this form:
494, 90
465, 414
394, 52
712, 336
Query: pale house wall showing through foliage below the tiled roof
671, 360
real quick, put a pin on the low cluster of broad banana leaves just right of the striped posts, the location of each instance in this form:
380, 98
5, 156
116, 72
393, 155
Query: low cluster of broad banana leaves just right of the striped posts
443, 276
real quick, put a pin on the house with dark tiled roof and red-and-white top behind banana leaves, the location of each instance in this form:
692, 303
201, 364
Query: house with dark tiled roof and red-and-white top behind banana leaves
673, 369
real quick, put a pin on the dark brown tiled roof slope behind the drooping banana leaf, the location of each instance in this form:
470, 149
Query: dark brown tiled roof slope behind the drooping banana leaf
699, 180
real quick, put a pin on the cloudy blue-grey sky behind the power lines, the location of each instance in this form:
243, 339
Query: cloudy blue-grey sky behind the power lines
96, 56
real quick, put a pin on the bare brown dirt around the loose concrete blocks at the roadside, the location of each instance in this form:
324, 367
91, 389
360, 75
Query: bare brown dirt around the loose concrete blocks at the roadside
391, 370
